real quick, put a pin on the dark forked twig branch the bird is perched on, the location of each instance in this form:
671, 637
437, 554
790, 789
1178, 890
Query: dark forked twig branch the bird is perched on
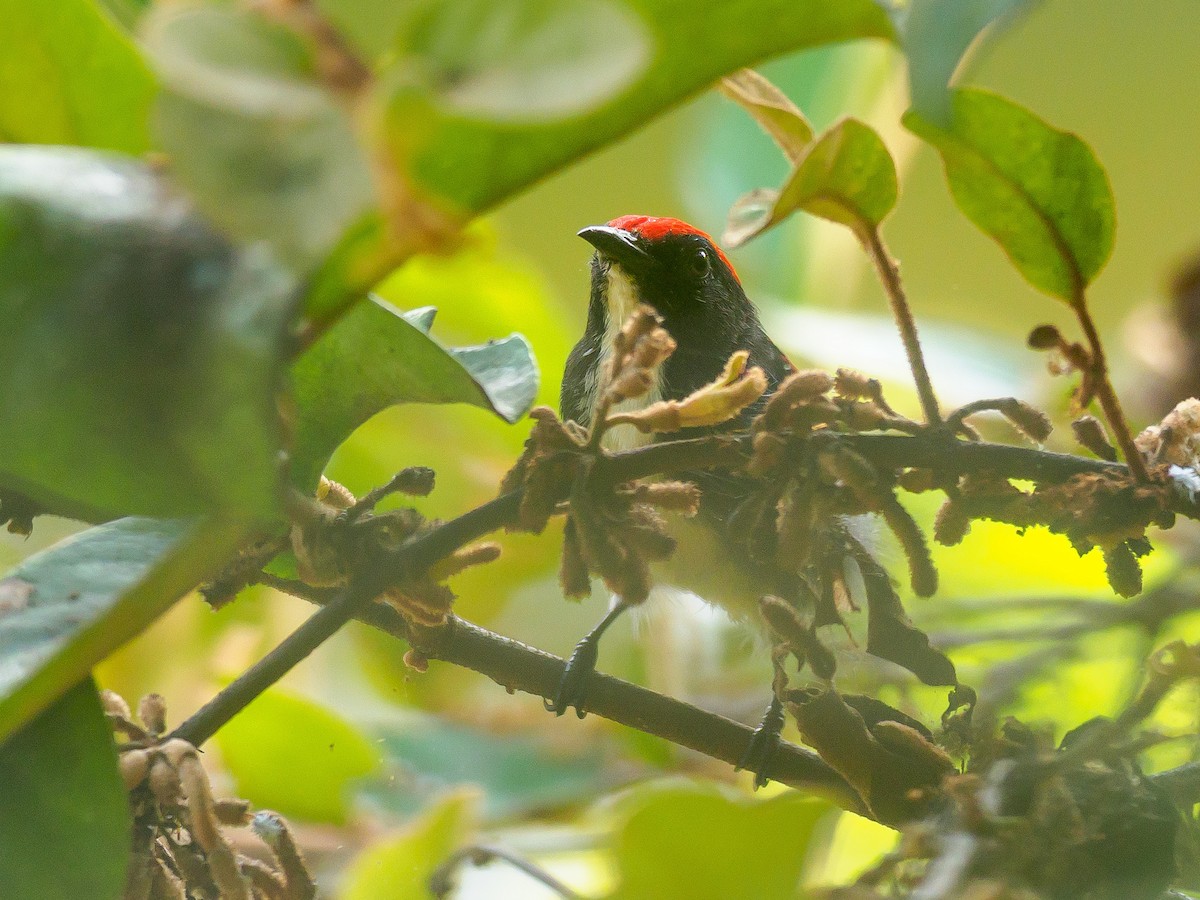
524, 669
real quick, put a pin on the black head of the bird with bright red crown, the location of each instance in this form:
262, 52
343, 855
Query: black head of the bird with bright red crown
668, 265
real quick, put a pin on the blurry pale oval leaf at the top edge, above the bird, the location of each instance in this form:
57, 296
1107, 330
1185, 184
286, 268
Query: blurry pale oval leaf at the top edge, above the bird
529, 61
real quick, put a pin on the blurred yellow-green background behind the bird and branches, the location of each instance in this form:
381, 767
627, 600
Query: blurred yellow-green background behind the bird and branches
385, 769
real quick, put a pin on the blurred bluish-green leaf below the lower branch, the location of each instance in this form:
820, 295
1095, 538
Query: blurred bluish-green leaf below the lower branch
518, 775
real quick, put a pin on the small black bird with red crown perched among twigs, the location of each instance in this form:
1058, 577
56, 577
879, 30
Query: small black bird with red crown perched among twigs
683, 275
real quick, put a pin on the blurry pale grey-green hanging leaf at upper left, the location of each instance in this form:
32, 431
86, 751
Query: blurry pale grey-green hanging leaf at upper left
266, 151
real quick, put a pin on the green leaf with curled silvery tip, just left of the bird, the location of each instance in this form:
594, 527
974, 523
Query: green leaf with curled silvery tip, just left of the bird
377, 357
